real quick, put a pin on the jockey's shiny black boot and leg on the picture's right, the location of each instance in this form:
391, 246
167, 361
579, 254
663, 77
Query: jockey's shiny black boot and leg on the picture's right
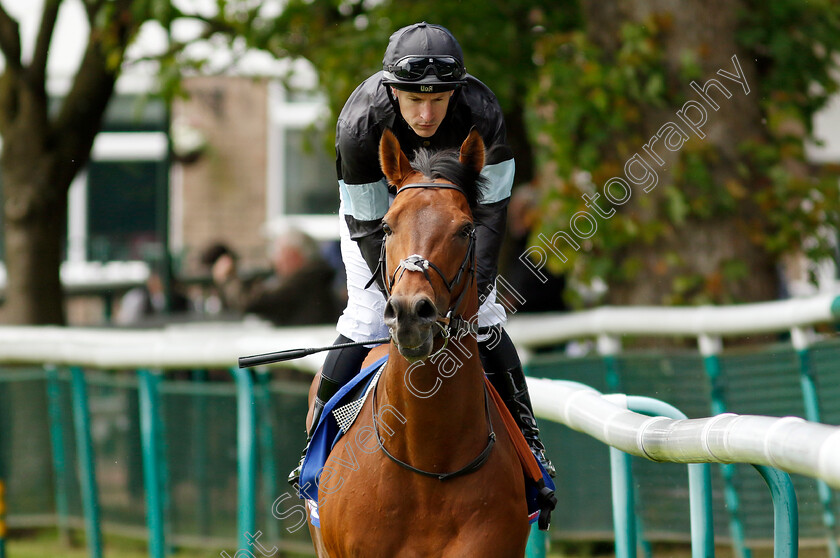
502, 366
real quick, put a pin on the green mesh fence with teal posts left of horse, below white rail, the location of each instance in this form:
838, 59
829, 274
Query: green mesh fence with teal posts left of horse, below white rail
154, 454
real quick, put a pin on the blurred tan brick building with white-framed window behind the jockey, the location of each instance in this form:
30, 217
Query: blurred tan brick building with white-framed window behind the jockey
264, 165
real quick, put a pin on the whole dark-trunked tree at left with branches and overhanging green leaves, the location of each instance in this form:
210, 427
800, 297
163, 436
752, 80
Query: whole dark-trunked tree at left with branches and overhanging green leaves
45, 147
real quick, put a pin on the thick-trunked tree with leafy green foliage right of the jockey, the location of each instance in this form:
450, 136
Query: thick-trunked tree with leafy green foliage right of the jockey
661, 183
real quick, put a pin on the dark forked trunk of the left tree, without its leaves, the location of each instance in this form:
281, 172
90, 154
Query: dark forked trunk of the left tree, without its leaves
42, 153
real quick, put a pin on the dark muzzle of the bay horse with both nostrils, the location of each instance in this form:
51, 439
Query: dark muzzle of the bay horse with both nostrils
411, 319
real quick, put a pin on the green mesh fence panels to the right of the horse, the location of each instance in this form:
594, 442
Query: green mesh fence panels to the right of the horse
757, 381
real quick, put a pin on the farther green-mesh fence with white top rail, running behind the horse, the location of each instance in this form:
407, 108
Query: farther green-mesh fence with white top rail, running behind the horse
152, 434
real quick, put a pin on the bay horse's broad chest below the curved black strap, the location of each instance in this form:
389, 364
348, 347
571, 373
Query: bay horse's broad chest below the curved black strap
372, 507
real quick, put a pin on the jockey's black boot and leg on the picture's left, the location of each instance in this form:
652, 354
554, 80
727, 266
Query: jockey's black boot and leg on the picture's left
339, 368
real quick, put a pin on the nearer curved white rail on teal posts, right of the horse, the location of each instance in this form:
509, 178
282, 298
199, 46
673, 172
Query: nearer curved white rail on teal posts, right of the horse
789, 444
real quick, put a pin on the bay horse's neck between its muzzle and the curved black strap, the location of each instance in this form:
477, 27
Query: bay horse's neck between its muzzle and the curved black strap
441, 409
